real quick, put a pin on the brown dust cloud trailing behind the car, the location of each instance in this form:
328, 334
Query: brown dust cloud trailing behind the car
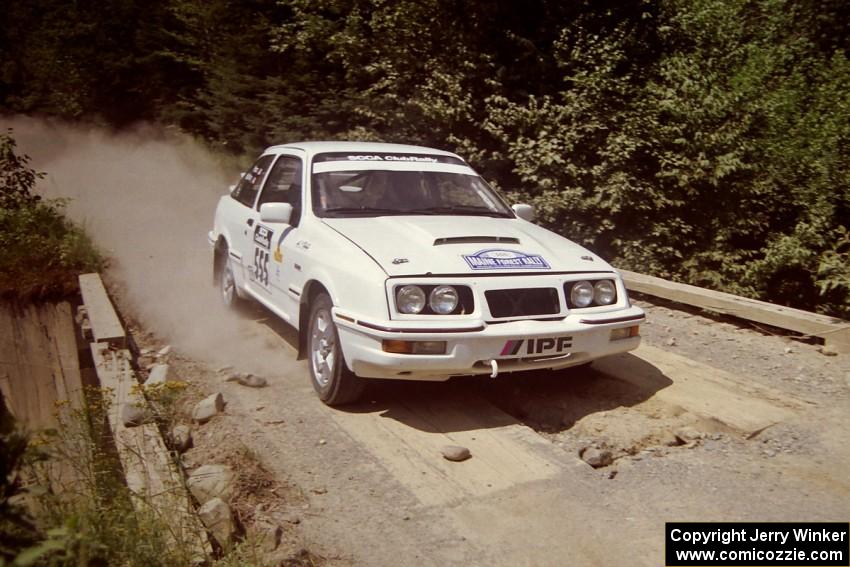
147, 197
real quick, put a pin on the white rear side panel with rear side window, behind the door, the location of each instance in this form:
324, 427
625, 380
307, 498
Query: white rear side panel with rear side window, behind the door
242, 216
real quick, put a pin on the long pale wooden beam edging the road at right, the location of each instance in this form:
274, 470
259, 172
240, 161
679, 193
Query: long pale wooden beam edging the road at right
834, 332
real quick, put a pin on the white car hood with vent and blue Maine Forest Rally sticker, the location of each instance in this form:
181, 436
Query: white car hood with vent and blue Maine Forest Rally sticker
420, 245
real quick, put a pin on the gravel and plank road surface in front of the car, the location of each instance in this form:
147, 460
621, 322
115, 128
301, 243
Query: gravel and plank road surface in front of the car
367, 485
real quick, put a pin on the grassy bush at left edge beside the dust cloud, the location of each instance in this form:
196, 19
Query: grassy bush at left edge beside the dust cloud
41, 252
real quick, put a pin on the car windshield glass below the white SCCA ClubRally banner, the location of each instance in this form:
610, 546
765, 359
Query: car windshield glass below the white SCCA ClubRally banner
369, 193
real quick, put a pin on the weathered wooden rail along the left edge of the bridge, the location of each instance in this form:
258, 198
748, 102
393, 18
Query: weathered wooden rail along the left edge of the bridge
152, 476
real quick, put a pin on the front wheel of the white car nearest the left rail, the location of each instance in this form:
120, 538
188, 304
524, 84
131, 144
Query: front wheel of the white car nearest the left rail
333, 381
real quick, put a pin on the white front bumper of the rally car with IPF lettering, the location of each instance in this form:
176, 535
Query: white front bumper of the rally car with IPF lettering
471, 346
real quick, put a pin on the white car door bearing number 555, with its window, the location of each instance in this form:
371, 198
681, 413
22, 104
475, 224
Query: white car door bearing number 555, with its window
273, 242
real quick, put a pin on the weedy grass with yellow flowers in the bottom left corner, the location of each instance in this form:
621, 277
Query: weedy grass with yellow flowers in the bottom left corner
83, 512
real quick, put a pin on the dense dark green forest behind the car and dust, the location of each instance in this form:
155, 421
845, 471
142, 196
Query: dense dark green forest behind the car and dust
706, 141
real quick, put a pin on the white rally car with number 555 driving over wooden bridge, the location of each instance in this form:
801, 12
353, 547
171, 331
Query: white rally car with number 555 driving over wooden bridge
397, 261
